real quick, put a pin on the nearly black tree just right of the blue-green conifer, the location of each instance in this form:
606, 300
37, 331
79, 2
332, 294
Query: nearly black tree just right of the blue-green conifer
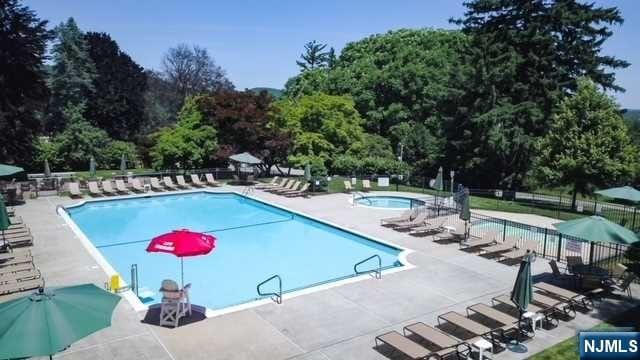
117, 102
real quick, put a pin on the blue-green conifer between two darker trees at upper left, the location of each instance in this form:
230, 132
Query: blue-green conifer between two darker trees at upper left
72, 74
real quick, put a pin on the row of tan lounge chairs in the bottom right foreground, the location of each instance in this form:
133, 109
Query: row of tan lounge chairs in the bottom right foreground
498, 324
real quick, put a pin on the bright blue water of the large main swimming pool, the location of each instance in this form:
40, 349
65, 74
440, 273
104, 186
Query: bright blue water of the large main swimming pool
255, 241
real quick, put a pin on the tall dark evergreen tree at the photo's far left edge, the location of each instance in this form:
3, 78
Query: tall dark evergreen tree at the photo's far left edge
23, 90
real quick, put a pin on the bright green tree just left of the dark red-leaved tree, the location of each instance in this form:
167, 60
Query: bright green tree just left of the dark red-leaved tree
190, 144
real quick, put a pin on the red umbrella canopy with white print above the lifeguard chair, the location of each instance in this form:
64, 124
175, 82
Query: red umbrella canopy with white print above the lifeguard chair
182, 243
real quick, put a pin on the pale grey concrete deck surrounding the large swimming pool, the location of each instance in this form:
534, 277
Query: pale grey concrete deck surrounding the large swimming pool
337, 323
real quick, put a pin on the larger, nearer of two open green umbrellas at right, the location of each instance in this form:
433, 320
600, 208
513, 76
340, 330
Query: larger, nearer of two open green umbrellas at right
597, 229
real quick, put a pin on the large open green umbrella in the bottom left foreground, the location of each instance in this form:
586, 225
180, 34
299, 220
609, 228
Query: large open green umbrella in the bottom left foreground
50, 320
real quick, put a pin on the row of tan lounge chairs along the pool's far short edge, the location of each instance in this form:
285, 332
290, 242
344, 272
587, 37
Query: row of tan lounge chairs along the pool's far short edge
136, 185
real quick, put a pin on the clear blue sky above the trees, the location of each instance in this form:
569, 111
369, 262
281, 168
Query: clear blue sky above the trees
258, 41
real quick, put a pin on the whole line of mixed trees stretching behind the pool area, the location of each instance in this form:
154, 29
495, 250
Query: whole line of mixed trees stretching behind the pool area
514, 98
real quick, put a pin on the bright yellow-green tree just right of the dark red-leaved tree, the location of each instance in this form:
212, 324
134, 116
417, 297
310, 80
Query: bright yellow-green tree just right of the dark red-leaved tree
321, 125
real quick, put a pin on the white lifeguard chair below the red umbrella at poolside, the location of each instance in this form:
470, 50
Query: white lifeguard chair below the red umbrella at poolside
175, 303
